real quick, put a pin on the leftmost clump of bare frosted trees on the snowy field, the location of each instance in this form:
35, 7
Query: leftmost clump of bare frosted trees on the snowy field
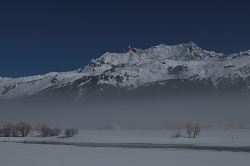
15, 130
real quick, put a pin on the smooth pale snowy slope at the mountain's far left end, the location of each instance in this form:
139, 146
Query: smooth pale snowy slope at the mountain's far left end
26, 86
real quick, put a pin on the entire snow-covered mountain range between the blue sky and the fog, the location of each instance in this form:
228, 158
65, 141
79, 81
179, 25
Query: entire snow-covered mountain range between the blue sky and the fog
185, 67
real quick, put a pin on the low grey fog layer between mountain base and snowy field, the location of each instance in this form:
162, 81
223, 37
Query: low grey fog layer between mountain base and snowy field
131, 113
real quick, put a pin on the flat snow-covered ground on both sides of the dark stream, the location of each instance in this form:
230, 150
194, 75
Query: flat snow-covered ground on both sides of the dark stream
13, 153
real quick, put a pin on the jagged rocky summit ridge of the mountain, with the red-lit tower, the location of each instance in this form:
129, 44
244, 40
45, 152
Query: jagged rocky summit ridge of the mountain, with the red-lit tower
182, 52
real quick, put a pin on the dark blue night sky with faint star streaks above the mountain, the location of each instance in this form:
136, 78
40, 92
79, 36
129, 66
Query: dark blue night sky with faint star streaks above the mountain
39, 36
